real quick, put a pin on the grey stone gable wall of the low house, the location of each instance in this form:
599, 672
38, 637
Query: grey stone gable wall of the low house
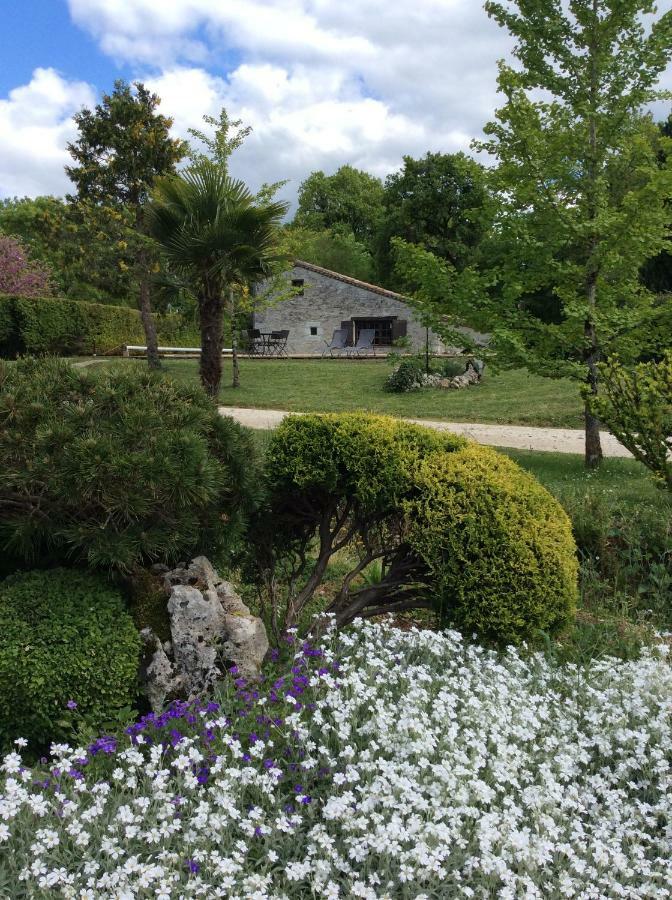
327, 301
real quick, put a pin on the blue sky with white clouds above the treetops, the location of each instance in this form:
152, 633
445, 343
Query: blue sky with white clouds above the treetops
321, 82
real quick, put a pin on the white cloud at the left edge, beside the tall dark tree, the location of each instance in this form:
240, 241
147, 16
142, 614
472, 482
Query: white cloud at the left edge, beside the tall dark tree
35, 125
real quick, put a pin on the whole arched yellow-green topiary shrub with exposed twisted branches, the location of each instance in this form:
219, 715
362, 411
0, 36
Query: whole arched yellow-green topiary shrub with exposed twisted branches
454, 527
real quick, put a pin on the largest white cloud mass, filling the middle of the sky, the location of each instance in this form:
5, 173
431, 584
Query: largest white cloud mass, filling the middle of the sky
322, 82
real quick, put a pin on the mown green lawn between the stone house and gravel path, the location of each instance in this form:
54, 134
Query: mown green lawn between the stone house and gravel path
514, 398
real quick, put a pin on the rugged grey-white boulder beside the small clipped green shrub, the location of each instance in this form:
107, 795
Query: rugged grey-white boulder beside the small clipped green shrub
211, 629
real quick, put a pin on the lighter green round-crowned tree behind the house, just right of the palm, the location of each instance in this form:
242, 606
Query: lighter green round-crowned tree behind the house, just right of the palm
349, 197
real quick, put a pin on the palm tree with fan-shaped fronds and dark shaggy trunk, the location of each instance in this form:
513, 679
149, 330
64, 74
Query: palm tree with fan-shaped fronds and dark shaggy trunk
217, 236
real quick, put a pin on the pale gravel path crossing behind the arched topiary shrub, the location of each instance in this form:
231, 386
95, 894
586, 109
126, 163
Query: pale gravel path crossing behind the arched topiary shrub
520, 437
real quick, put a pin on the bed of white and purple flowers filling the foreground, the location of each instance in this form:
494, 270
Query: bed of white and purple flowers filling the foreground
382, 764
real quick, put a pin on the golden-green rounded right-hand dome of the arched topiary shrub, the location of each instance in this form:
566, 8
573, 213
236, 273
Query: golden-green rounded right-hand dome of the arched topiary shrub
499, 546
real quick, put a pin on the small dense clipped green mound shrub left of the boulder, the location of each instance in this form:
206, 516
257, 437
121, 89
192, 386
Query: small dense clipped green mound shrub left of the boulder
65, 638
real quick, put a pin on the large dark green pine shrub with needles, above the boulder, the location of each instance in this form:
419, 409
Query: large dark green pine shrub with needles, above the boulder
116, 469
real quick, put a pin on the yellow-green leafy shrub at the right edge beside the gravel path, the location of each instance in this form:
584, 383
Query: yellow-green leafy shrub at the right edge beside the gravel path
636, 406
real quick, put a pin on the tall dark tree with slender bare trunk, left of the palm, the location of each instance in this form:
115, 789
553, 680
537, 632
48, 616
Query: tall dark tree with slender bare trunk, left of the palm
123, 146
